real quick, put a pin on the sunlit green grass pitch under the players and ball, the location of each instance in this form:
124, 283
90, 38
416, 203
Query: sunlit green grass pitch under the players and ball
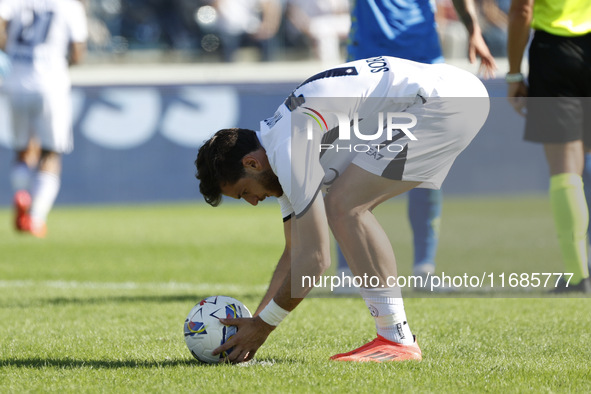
99, 305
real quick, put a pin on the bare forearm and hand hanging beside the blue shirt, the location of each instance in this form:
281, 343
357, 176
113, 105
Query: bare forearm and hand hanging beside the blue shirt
466, 11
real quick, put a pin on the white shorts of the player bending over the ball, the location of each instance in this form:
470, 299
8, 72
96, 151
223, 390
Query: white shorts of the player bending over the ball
445, 126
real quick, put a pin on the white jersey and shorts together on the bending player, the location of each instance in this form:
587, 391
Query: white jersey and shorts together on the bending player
307, 151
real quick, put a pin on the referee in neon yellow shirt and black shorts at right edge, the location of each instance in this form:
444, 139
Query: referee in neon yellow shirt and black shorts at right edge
559, 74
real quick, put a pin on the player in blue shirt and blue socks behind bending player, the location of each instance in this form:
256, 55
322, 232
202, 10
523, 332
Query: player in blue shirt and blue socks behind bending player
408, 30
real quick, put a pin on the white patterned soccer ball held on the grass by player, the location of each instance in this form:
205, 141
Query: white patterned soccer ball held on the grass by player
203, 330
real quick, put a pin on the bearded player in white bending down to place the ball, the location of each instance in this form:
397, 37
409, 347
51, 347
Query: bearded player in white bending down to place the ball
345, 140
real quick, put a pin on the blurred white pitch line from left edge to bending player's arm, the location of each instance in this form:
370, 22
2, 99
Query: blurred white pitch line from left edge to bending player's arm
198, 287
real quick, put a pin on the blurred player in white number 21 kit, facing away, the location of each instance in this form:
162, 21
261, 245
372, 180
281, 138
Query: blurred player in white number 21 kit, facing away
41, 38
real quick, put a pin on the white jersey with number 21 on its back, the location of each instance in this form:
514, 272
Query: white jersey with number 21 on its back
39, 36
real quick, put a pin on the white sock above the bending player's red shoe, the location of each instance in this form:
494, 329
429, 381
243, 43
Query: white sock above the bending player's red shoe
388, 312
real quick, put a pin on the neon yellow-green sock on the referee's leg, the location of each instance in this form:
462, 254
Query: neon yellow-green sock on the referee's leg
571, 218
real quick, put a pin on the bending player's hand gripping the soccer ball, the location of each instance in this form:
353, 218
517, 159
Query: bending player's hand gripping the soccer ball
252, 333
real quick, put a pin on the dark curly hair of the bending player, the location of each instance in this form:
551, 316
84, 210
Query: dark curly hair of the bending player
219, 161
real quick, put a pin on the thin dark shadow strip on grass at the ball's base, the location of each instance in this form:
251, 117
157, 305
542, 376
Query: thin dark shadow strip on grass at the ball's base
68, 363
